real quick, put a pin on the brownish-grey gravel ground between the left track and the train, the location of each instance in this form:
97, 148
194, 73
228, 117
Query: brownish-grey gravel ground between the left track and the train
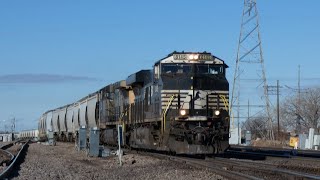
64, 162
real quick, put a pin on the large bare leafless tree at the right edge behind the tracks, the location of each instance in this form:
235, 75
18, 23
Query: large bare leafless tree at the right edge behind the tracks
302, 113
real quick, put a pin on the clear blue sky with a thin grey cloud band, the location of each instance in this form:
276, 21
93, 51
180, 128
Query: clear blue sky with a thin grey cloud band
54, 53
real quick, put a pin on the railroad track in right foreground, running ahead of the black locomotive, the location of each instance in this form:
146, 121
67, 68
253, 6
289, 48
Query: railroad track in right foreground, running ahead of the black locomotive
238, 169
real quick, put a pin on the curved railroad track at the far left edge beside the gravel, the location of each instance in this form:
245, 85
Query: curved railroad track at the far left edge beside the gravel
11, 155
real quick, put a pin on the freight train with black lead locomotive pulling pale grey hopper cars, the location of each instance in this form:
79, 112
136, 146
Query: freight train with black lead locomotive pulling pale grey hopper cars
180, 106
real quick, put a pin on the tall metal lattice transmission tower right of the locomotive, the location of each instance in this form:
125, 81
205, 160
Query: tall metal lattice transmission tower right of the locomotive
249, 93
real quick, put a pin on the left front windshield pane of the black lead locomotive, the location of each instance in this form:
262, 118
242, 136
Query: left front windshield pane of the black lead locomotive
176, 68
